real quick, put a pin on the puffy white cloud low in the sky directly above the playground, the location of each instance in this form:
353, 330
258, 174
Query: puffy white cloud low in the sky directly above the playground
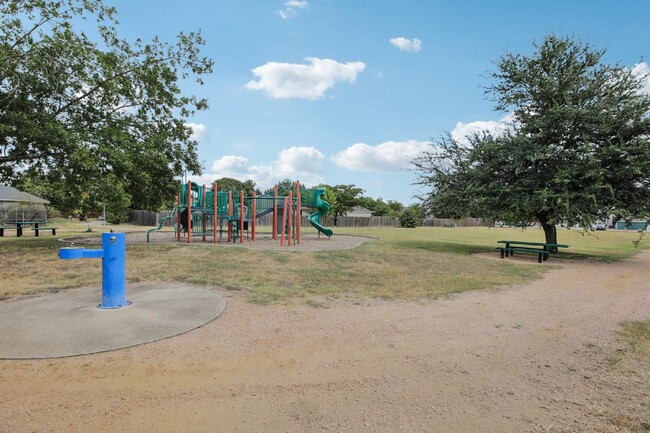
296, 163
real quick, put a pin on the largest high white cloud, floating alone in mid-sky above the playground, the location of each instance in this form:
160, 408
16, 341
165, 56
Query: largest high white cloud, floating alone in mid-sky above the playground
311, 81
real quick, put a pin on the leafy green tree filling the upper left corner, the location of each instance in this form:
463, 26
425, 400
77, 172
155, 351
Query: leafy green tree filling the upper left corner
96, 117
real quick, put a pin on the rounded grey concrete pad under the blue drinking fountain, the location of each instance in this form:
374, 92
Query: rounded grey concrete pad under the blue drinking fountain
69, 323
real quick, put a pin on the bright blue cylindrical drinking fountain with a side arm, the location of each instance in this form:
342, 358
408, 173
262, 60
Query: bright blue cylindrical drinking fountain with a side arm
113, 255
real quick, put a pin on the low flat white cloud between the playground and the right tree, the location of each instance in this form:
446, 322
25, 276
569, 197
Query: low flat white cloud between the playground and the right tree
391, 156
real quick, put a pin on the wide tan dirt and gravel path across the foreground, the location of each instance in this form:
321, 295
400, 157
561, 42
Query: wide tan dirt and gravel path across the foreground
525, 359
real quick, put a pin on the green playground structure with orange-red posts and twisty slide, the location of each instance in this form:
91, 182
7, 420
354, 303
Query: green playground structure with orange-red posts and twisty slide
210, 214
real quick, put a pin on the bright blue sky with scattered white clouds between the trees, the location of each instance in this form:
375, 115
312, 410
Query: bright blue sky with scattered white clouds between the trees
350, 91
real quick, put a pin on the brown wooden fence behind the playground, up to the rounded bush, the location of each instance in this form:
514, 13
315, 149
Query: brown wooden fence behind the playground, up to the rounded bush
150, 218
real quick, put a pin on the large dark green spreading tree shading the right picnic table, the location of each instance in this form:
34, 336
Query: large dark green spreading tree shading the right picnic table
577, 149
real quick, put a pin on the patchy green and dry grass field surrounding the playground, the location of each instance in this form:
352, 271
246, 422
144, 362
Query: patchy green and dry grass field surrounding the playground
400, 264
